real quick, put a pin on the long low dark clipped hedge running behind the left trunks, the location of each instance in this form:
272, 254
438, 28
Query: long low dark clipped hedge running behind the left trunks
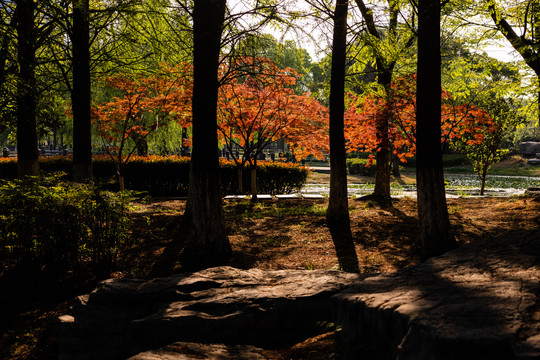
169, 175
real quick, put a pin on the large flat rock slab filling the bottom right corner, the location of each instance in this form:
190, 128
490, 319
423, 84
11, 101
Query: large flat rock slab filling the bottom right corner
476, 302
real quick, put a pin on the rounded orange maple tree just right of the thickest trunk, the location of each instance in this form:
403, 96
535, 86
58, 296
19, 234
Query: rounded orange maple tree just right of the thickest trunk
259, 107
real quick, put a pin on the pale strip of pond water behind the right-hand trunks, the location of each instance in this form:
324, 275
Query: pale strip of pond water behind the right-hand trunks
456, 185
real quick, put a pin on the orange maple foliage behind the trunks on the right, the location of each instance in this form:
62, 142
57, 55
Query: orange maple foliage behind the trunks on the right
458, 120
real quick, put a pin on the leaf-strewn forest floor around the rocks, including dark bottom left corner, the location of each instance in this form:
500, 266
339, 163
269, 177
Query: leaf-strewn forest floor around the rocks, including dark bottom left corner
274, 234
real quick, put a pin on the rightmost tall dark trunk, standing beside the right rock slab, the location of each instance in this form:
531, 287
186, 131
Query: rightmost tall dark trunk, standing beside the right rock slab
435, 236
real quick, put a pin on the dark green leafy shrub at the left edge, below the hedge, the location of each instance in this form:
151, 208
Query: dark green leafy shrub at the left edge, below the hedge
46, 222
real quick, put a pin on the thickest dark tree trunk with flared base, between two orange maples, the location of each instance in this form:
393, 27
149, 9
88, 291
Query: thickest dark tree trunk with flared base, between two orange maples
208, 244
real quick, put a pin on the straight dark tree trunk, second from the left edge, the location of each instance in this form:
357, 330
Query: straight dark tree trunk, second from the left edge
80, 95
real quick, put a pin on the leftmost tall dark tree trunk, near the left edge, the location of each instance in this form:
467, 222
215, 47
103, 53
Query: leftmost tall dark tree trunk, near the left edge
27, 142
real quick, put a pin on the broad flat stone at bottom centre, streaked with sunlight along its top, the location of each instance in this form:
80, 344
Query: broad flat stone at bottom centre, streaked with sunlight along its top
122, 318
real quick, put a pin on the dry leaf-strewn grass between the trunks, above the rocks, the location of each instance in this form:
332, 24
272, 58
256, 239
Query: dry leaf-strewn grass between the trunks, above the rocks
292, 234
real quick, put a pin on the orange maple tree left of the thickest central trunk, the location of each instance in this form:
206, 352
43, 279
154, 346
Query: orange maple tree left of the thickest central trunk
144, 104
